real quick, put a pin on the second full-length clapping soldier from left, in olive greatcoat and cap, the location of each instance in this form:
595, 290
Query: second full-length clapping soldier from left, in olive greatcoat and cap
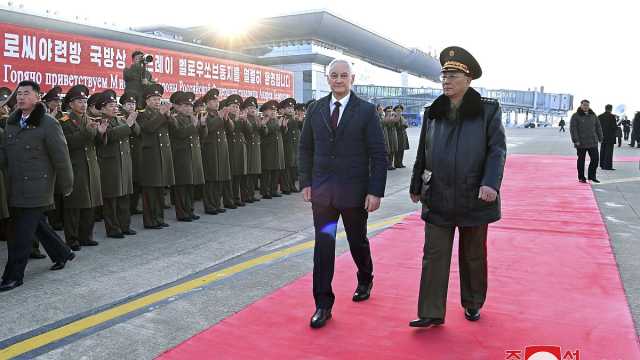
114, 154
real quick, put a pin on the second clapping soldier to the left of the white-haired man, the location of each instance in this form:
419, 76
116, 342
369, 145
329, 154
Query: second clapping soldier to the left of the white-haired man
272, 151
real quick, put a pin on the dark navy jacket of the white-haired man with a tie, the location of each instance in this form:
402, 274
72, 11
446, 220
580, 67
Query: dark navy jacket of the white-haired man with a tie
344, 165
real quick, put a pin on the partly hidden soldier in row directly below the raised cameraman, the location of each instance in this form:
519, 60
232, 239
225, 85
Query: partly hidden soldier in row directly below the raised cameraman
128, 102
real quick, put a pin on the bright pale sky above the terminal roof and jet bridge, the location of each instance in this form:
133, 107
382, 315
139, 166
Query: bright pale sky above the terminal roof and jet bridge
587, 48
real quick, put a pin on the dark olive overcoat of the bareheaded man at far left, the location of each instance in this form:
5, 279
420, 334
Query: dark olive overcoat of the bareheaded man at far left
36, 160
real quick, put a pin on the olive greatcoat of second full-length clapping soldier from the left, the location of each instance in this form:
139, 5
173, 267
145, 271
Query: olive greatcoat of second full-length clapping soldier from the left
114, 155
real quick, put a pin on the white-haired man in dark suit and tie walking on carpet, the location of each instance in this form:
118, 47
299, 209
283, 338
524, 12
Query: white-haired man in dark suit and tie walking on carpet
343, 171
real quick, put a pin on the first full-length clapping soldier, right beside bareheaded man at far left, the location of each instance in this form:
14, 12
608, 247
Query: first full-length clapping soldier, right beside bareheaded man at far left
82, 132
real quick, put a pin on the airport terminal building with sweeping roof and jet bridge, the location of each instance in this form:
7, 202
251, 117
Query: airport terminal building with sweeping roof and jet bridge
387, 73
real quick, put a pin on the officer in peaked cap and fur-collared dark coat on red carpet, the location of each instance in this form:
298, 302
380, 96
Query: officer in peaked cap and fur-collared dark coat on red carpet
457, 179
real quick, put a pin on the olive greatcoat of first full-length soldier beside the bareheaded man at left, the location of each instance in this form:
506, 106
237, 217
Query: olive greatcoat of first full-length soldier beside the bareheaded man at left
81, 140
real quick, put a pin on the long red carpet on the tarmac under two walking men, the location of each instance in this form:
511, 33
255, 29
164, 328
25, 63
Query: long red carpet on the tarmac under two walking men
553, 280
